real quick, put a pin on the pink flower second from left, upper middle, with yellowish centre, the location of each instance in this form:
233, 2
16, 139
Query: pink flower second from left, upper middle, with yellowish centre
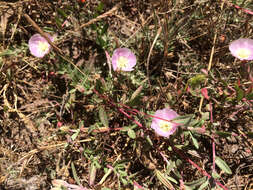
123, 59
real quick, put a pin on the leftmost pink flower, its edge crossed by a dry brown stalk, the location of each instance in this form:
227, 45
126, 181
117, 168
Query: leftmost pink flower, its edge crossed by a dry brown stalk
39, 46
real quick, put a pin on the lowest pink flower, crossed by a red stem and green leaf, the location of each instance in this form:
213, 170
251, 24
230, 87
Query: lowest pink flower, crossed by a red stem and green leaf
164, 128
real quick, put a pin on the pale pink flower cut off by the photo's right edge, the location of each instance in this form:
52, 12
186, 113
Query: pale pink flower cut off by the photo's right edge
242, 49
